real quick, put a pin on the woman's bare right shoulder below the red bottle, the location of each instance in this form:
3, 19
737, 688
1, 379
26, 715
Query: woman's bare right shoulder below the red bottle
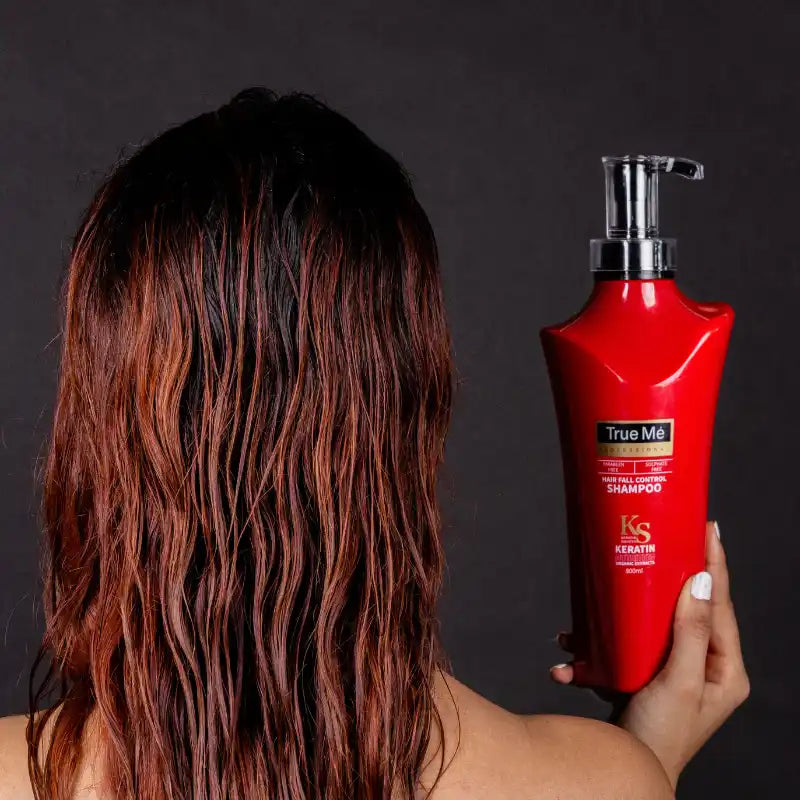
505, 755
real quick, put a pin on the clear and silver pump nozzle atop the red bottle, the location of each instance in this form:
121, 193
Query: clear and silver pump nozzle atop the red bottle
632, 247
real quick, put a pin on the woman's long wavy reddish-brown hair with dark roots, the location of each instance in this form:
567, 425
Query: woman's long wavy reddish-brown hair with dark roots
242, 535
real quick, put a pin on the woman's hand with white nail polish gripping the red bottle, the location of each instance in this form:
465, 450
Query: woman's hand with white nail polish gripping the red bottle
704, 679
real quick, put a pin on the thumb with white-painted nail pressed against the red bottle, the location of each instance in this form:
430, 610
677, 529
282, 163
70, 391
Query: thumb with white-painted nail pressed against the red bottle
686, 664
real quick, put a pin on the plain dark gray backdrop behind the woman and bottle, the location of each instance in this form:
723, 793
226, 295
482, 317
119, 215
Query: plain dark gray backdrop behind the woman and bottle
501, 111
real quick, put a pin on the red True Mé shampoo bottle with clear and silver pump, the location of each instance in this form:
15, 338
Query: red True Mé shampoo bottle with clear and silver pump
635, 376
